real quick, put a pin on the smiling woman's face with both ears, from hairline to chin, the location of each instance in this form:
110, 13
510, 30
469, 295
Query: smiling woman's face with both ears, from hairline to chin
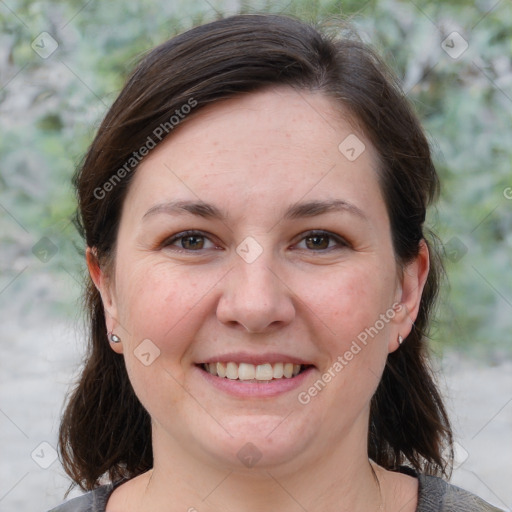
258, 235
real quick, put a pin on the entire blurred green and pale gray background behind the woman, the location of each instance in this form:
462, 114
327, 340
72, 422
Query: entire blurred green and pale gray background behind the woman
62, 63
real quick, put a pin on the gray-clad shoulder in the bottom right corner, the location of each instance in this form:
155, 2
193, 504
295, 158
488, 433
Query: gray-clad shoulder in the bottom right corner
436, 495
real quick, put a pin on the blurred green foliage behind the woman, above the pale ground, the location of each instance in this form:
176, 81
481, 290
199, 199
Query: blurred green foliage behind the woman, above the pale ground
50, 108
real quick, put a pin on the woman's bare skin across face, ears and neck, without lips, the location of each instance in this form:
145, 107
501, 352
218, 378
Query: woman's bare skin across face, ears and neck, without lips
253, 157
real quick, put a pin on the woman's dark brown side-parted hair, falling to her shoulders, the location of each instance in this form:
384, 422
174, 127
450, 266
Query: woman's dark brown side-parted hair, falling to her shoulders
105, 431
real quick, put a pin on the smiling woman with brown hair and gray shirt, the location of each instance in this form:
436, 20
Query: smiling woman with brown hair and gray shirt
261, 286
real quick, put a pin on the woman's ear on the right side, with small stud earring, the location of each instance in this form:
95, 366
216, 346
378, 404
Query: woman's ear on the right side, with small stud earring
412, 282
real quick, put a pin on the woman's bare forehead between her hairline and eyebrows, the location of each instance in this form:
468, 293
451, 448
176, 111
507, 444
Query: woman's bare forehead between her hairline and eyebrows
261, 149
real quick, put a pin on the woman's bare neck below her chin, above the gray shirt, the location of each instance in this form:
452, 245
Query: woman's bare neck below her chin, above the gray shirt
335, 480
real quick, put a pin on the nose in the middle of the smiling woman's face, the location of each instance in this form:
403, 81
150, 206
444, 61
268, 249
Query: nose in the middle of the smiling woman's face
255, 298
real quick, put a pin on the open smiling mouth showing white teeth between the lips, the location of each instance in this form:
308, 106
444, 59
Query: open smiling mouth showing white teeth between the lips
248, 372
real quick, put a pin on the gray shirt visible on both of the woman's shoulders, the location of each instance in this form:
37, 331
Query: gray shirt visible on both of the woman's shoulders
434, 495
